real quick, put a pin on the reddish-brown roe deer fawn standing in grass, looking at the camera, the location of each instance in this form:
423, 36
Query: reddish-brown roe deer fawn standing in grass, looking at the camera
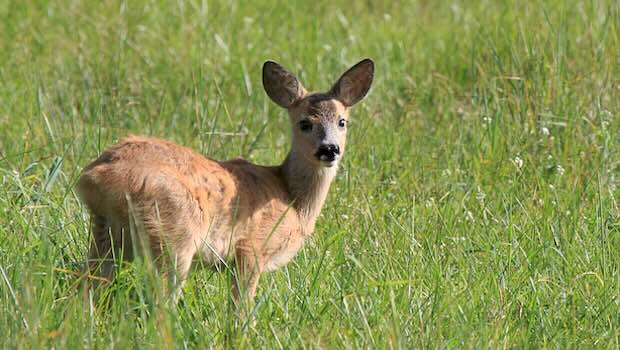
187, 206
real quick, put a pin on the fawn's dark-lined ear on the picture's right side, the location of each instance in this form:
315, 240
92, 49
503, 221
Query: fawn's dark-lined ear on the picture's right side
354, 84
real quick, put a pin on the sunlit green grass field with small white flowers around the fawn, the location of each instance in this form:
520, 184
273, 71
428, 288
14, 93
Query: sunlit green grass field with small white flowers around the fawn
477, 205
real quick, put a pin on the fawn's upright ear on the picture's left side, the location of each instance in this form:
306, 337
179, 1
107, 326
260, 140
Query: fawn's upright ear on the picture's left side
281, 85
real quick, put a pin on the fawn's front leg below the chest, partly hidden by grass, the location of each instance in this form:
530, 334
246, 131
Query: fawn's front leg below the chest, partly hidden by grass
249, 267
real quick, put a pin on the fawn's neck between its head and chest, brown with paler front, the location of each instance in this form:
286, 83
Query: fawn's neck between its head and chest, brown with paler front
308, 185
